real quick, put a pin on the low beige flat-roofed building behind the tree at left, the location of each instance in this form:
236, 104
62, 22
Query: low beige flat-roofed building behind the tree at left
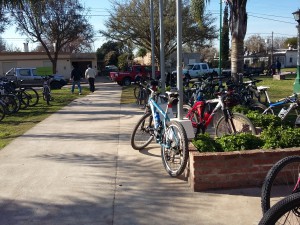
40, 59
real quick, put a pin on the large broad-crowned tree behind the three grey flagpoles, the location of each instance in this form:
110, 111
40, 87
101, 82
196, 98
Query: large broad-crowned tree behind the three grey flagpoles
131, 21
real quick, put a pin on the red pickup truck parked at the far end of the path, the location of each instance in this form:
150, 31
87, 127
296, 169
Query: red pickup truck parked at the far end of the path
134, 74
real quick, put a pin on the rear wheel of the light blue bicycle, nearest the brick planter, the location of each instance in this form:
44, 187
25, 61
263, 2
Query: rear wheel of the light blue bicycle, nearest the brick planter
174, 149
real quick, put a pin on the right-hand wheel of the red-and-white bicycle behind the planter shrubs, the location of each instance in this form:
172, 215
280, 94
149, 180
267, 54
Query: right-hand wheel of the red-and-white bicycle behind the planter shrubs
238, 123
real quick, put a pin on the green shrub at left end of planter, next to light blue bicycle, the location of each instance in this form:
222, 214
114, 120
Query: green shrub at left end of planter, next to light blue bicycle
204, 143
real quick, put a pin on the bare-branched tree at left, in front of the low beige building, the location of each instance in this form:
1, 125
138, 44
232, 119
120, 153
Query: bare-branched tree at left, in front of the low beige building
54, 24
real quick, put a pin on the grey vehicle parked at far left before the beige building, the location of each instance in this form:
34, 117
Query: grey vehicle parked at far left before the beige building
29, 77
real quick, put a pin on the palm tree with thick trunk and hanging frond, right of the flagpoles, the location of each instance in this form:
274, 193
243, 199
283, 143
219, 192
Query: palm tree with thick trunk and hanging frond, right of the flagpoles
238, 28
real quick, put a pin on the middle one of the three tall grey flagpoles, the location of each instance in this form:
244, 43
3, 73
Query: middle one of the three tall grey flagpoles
162, 45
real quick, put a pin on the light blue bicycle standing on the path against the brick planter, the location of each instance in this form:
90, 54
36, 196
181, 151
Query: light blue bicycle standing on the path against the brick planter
170, 134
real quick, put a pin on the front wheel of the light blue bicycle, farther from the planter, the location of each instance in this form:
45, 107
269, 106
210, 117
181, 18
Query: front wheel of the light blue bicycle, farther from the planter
143, 132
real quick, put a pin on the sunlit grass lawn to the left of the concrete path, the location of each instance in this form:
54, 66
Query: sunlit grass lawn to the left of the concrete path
15, 125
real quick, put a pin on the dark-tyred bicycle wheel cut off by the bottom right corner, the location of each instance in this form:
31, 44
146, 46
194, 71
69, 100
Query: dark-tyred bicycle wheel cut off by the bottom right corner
286, 211
